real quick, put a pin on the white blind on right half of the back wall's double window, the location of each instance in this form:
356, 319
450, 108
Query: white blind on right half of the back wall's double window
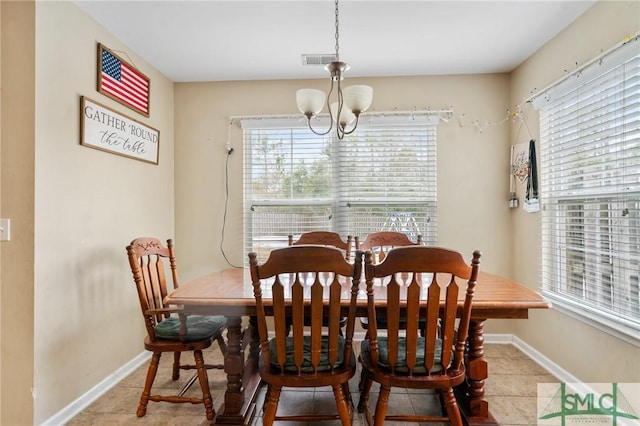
387, 181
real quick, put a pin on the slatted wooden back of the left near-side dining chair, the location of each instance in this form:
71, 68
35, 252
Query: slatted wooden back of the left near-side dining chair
295, 282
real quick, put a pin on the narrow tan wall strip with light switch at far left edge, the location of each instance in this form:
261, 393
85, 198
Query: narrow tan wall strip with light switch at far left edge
17, 144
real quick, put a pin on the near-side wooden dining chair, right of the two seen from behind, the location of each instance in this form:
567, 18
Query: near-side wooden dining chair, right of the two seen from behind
415, 279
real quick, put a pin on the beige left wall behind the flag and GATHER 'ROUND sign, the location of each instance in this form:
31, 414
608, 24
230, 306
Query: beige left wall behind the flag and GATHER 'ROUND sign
88, 205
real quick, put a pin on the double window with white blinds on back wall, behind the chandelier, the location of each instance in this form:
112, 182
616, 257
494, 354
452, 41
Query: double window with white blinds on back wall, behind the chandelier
381, 177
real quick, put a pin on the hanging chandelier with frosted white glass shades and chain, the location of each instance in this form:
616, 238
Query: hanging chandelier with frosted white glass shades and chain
345, 107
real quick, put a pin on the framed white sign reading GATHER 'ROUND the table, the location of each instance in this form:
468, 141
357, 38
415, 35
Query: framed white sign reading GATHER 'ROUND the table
107, 130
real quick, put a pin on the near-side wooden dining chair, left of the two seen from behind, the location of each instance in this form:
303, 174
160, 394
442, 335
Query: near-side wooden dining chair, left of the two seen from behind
306, 281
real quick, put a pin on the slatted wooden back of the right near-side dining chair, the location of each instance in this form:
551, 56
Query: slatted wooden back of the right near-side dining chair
416, 278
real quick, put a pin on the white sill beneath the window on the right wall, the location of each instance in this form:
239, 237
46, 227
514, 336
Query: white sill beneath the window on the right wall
614, 327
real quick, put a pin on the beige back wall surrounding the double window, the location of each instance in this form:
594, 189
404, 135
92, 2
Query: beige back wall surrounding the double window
472, 165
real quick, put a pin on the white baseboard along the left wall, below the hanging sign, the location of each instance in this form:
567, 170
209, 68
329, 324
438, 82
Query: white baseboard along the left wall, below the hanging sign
73, 409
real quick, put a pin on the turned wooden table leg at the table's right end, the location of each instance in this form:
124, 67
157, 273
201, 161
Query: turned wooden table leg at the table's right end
474, 406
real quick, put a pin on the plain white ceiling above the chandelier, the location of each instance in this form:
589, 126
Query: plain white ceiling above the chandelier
256, 40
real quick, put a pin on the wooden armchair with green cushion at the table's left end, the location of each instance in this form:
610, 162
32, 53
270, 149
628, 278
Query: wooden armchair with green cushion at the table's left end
169, 329
